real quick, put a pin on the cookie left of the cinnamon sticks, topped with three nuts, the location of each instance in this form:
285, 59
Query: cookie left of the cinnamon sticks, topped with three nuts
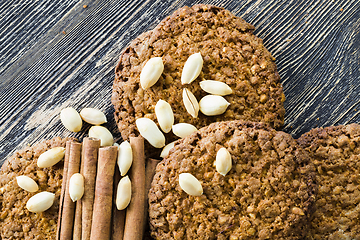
16, 222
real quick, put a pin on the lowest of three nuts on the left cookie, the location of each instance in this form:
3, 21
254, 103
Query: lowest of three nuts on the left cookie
40, 202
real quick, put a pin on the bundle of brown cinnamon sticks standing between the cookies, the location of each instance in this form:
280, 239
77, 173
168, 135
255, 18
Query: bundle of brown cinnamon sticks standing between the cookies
95, 215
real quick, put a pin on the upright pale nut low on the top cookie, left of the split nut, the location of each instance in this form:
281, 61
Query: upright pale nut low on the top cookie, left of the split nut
165, 115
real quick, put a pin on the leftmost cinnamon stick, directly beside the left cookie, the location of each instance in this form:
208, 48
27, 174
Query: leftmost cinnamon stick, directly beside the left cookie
67, 219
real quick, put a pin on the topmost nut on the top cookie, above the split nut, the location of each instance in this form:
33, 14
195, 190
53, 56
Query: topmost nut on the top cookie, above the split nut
192, 68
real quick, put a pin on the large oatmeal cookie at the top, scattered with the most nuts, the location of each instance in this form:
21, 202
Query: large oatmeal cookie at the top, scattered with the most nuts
231, 54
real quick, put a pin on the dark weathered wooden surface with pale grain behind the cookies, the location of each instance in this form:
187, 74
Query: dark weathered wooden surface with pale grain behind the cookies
55, 54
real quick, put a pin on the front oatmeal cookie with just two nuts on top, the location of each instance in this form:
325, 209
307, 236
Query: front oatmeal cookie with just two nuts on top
267, 194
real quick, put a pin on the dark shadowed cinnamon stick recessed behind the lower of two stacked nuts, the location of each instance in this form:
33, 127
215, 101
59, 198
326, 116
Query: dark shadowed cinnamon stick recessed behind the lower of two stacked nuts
118, 222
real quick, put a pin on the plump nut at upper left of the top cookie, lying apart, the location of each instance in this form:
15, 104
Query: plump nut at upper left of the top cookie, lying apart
151, 72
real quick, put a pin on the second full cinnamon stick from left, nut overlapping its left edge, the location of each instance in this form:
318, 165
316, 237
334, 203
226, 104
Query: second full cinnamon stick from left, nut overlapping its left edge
90, 158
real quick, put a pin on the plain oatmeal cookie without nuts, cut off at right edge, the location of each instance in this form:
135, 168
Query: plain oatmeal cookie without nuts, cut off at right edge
335, 153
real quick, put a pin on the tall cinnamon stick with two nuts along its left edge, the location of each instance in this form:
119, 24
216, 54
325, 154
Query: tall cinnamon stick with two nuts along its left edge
134, 220
